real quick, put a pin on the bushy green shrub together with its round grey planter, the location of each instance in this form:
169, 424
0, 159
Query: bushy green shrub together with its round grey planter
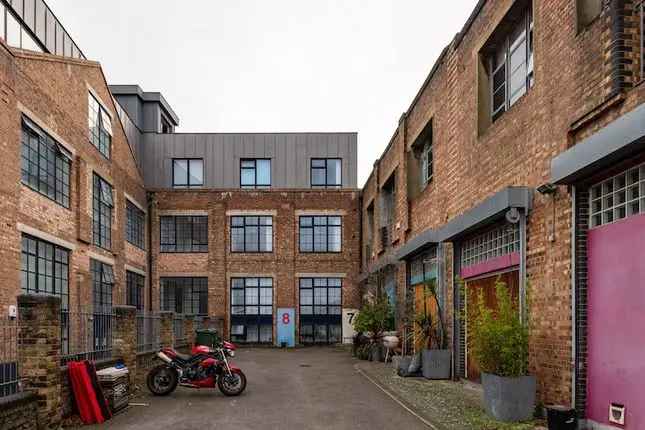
499, 341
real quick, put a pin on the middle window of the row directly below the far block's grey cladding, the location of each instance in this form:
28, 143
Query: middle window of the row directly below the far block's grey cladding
251, 234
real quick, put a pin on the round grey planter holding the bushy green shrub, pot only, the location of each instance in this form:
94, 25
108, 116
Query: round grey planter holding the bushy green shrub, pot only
509, 399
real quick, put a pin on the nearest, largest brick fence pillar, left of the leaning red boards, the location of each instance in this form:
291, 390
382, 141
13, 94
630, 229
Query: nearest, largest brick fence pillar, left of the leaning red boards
39, 354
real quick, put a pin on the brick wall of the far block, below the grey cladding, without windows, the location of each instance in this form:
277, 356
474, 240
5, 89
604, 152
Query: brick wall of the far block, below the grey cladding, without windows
283, 264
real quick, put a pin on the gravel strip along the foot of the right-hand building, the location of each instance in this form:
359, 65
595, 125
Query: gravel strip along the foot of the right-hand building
447, 405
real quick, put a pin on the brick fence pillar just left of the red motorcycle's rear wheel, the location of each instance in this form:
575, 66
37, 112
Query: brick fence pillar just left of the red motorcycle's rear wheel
124, 336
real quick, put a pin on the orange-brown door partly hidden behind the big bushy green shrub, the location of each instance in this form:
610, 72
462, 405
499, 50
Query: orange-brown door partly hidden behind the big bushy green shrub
487, 287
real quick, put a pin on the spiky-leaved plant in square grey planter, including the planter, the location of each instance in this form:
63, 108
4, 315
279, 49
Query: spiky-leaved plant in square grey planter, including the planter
430, 334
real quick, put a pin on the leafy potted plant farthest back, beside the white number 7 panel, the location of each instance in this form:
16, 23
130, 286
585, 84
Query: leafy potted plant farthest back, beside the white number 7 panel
373, 319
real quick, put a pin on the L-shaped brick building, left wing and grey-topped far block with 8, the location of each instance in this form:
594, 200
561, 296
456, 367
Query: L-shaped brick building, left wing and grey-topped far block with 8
104, 204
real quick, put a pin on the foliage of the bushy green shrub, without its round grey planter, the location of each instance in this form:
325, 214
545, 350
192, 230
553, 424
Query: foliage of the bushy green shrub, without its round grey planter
500, 339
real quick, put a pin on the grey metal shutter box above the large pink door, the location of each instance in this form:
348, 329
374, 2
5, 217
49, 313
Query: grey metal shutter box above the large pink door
618, 140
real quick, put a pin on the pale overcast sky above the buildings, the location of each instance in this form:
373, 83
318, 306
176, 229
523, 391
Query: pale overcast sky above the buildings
272, 65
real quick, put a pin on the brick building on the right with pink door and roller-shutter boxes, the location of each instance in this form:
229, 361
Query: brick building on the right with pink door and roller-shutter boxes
519, 159
